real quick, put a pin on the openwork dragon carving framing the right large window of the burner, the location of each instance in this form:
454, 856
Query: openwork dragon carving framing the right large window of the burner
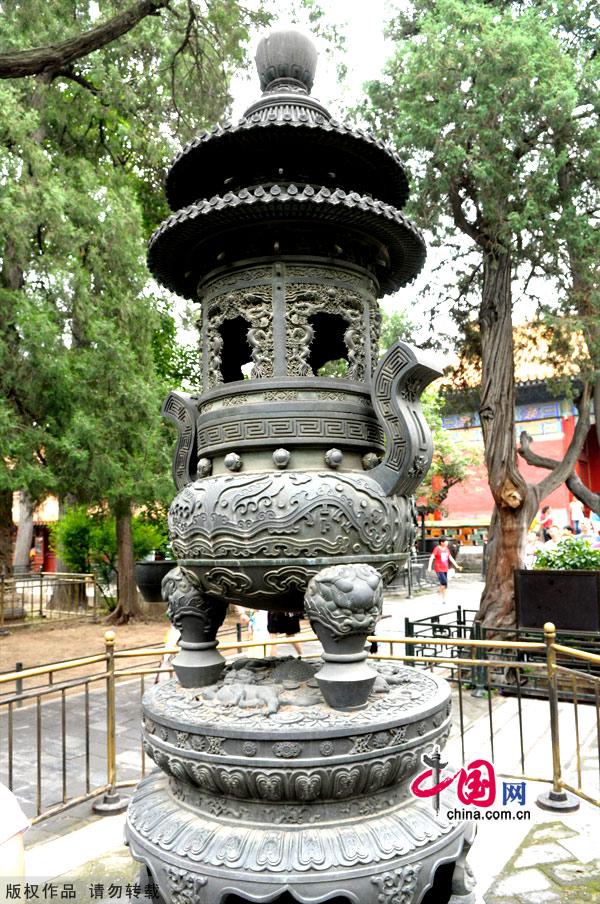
302, 302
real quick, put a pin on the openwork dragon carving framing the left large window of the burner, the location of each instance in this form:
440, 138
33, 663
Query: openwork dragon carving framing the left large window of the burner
256, 308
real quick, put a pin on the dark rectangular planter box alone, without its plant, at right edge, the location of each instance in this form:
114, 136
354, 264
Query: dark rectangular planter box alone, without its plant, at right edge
569, 599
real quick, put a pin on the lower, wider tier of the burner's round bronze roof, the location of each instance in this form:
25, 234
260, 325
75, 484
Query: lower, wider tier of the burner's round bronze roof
200, 237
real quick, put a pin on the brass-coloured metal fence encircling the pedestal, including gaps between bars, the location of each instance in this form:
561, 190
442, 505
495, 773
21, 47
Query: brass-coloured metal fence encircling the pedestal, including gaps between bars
77, 735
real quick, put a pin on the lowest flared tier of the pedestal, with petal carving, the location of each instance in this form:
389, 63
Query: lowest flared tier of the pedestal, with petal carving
386, 857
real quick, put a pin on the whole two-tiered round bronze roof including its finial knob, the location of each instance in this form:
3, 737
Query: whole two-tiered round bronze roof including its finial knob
288, 179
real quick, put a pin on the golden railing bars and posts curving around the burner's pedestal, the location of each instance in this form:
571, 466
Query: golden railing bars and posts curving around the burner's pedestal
124, 666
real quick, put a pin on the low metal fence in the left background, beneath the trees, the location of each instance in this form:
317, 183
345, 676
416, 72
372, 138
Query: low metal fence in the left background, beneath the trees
48, 595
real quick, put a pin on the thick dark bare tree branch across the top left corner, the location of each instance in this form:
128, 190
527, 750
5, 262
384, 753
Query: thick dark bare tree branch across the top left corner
20, 63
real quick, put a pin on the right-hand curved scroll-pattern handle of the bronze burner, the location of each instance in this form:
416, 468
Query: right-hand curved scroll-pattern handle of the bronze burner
398, 382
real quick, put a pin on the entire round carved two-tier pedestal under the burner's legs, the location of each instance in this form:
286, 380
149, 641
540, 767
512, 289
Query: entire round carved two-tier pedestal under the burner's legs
266, 794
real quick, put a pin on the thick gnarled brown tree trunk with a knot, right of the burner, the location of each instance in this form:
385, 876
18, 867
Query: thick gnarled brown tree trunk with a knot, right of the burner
516, 502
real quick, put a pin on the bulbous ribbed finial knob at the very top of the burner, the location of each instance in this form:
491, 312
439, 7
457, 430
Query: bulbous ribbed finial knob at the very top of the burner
286, 58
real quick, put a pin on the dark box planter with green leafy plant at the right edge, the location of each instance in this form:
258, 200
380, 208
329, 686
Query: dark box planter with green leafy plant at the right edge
563, 587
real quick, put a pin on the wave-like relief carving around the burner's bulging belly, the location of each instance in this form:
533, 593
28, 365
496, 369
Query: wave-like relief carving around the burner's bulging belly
282, 514
